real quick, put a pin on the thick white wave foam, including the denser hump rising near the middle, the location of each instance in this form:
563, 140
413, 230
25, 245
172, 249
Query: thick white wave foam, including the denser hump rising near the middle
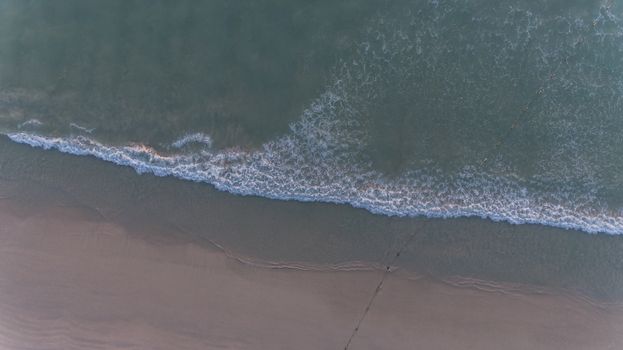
312, 164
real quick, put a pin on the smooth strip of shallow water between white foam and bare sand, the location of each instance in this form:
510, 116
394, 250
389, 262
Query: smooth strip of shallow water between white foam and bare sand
314, 234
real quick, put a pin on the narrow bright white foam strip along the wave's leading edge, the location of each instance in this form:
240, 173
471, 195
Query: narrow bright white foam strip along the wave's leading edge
146, 160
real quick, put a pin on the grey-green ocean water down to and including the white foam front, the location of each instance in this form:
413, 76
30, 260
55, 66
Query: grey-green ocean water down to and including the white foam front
506, 110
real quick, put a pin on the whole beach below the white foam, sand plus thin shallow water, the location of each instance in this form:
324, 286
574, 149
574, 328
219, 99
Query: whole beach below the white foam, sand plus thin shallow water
94, 256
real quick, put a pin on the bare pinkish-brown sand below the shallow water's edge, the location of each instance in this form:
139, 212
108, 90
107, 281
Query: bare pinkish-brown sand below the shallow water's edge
69, 280
